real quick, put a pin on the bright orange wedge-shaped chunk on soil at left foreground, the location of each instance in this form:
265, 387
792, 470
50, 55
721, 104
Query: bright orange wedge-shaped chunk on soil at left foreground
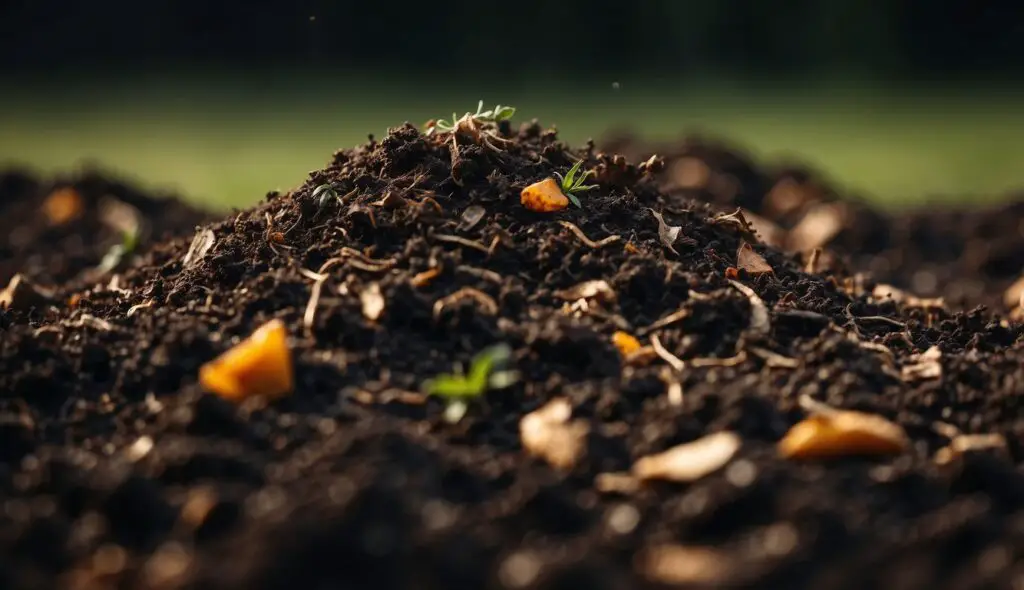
260, 366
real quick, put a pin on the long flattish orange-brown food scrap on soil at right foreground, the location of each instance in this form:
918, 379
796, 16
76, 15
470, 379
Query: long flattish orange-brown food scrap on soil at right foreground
843, 434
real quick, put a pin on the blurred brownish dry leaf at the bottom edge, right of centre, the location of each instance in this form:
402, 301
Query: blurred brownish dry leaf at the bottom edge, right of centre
687, 566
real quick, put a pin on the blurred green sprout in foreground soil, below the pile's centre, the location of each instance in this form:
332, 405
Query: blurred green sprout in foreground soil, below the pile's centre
488, 371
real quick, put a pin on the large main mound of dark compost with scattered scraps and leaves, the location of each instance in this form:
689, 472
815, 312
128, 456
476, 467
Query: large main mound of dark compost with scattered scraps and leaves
841, 438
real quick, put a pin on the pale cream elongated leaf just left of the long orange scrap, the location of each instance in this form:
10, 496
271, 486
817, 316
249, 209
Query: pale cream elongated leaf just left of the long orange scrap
691, 461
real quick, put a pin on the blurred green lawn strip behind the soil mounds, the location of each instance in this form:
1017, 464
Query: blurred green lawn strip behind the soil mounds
226, 141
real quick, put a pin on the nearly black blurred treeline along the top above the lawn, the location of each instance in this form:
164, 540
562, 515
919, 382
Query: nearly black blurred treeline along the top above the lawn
887, 38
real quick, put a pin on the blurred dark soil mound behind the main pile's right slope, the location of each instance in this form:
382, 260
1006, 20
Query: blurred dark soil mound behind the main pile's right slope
969, 255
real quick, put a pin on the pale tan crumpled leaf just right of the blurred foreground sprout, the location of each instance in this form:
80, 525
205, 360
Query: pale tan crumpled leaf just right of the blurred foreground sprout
549, 435
